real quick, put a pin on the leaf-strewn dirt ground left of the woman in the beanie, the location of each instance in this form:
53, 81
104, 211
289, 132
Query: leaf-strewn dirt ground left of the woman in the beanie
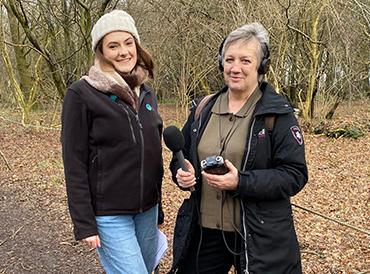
35, 230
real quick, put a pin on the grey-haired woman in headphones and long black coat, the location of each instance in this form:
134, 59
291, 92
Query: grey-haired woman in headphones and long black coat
243, 217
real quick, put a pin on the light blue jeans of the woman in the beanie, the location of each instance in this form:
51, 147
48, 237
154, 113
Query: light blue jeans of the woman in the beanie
128, 242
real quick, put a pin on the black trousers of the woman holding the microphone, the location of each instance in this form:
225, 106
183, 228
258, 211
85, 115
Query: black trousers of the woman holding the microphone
214, 256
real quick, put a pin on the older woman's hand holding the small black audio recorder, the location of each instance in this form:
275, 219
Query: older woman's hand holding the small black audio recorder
228, 181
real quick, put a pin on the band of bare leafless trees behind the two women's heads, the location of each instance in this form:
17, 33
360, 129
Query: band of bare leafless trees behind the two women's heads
319, 49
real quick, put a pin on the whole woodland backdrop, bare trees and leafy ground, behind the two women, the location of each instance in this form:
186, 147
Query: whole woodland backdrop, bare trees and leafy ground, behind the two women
320, 60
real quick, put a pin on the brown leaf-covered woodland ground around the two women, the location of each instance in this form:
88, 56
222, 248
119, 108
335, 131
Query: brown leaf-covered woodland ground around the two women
33, 193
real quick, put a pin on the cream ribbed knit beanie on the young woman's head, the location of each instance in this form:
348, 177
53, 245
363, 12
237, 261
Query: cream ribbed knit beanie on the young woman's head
115, 20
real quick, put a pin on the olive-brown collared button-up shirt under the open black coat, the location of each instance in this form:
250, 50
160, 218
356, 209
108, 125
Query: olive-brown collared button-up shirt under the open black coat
225, 134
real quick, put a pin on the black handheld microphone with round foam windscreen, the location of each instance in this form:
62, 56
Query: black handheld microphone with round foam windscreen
175, 141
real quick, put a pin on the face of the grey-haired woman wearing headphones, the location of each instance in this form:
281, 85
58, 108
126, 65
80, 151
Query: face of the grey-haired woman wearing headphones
241, 63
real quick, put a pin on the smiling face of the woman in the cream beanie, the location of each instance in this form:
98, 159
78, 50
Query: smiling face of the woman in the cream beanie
119, 48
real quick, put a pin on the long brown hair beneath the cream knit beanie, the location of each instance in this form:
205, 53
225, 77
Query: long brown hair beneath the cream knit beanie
144, 59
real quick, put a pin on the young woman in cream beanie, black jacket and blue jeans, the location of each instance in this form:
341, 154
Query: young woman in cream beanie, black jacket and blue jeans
111, 137
